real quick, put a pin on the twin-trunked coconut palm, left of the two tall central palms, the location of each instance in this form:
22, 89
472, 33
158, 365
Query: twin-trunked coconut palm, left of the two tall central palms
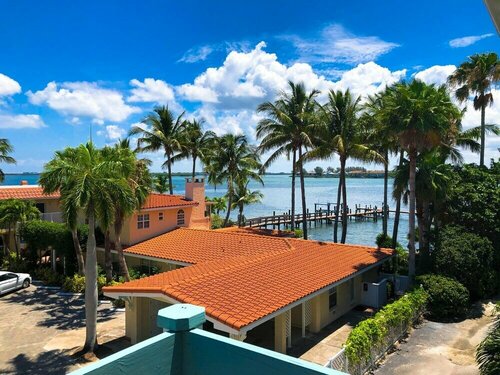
287, 130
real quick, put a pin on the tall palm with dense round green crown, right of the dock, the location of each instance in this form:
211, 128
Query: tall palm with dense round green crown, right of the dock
421, 117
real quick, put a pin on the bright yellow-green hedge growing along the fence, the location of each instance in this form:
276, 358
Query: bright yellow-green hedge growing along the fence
374, 331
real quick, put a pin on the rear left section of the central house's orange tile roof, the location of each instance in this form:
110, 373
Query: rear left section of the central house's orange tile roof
198, 245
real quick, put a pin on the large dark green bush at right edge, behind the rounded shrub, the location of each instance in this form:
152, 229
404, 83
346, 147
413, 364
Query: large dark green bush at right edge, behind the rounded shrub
467, 258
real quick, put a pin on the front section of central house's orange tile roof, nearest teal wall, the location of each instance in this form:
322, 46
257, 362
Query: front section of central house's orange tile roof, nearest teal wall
241, 290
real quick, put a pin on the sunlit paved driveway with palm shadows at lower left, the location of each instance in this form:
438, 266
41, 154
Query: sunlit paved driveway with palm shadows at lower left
41, 330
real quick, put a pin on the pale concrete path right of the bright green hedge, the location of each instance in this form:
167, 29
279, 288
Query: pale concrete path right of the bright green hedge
440, 348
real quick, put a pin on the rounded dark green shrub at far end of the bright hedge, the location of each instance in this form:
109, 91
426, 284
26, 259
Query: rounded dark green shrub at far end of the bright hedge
448, 299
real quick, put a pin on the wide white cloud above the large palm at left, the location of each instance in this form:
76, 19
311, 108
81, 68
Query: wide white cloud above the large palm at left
86, 99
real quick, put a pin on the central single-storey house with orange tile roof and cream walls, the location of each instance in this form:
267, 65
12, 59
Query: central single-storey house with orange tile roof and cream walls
251, 285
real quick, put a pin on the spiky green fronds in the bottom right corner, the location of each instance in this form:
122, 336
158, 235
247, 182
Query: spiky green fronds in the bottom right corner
488, 351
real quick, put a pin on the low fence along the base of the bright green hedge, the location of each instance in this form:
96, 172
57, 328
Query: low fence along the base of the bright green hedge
340, 362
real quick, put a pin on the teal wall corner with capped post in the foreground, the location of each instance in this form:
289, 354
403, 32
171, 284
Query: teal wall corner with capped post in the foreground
184, 349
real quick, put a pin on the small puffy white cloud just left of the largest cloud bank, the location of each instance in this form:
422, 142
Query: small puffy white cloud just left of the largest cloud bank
151, 91
